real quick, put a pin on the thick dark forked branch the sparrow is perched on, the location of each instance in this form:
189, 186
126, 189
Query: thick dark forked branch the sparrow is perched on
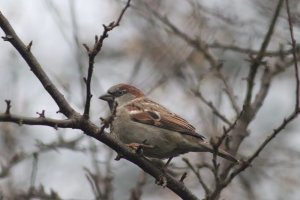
81, 122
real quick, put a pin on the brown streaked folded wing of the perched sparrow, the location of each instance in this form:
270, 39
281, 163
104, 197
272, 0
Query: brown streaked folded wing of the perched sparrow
148, 112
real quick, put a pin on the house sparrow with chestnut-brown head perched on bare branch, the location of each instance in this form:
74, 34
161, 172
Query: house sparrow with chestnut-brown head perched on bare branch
160, 132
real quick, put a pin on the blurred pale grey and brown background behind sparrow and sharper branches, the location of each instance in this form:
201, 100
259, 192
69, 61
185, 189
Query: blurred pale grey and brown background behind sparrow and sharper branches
150, 49
